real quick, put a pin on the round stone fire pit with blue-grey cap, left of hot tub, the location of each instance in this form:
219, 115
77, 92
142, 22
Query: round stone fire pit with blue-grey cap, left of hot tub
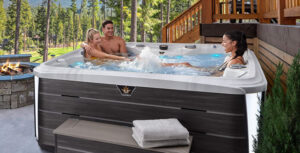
18, 90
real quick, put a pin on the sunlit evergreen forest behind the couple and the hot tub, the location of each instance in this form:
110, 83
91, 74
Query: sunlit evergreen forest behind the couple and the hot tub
68, 24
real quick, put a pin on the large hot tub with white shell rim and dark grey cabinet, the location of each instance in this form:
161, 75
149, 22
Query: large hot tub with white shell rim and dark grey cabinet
220, 112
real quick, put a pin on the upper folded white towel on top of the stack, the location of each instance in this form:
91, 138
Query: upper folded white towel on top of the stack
160, 129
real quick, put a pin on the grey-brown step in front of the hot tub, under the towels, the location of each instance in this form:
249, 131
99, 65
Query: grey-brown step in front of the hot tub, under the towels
82, 136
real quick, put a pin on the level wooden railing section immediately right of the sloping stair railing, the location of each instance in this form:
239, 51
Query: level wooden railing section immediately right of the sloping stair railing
236, 9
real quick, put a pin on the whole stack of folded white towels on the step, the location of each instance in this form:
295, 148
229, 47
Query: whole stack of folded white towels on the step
158, 133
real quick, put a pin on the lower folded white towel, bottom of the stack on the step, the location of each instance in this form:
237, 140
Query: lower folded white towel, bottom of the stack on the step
159, 143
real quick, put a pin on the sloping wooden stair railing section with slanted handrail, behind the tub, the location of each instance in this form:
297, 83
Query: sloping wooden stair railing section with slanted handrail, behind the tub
184, 23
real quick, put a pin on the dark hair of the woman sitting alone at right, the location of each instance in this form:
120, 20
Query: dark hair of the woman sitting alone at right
241, 44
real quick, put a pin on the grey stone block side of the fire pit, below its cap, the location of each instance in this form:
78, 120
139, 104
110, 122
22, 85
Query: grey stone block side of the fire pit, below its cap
16, 93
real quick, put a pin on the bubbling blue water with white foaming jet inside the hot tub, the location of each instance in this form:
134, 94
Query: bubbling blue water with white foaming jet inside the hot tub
148, 62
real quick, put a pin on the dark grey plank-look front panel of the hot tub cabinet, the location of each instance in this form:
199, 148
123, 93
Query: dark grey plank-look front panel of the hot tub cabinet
217, 122
